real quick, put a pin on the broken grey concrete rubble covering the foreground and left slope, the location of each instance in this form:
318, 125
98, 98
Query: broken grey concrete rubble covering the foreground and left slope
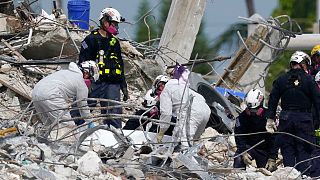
24, 156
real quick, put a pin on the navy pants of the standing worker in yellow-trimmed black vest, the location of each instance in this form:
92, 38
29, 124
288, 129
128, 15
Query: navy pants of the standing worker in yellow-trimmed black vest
107, 91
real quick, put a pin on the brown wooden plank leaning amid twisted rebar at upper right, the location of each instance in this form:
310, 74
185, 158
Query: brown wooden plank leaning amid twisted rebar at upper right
243, 59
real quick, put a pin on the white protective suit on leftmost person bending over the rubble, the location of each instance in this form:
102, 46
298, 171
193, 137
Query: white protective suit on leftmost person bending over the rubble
51, 94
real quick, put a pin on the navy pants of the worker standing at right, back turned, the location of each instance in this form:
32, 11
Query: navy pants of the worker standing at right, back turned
292, 149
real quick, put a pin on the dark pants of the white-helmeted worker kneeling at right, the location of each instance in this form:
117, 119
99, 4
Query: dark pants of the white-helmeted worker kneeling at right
261, 157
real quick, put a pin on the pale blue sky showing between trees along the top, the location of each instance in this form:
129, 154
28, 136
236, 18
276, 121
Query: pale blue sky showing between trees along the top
219, 14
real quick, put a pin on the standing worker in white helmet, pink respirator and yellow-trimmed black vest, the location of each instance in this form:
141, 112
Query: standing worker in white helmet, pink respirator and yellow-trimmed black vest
103, 47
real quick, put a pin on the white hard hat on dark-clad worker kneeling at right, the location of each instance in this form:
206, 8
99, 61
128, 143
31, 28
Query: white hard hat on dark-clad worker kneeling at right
254, 98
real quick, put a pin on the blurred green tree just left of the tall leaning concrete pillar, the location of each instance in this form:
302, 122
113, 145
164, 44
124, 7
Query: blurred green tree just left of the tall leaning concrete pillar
142, 30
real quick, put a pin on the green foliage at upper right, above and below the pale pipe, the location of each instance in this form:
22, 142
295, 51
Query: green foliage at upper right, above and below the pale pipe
304, 12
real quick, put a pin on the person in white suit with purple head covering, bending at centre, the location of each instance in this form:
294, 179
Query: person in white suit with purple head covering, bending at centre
190, 108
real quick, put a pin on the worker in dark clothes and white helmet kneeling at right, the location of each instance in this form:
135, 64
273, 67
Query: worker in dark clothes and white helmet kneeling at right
253, 120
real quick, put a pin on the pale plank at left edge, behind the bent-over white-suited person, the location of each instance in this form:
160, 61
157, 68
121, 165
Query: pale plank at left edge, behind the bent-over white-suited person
17, 86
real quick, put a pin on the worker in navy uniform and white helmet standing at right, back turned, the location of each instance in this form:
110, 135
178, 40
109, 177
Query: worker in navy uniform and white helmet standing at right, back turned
298, 93
